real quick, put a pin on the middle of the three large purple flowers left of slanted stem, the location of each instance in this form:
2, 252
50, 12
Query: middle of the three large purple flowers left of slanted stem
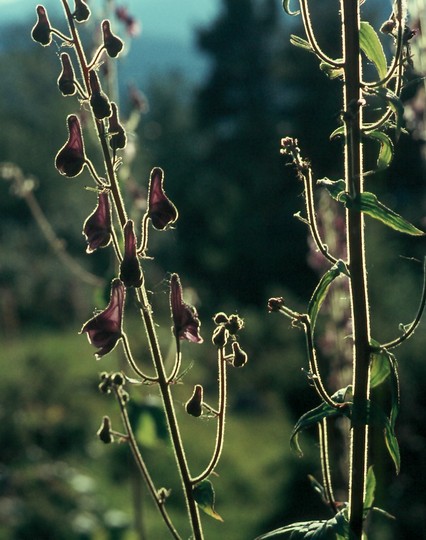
97, 227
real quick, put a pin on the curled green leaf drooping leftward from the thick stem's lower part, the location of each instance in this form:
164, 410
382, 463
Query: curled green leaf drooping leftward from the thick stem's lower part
314, 416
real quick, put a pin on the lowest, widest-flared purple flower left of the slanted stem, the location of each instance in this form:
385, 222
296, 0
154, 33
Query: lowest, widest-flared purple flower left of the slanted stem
105, 329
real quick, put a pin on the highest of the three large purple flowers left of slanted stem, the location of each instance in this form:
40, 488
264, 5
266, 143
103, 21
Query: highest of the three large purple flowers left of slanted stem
71, 157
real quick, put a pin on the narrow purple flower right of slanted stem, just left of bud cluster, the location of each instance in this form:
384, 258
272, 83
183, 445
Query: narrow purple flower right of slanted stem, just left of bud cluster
186, 324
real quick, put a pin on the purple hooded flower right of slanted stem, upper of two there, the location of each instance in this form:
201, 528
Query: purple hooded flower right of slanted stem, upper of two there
161, 210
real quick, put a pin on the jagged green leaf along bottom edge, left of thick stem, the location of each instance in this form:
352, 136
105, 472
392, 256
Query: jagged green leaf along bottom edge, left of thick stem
336, 528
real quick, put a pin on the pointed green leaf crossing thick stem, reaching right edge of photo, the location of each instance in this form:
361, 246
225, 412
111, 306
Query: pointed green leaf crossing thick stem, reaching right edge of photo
370, 205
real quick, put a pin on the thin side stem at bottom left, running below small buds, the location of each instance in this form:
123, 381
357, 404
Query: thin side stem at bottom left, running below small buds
158, 499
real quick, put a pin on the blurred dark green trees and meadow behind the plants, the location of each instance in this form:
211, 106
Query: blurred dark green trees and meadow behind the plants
214, 124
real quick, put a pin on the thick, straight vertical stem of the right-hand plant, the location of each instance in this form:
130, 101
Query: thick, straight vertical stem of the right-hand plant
356, 254
